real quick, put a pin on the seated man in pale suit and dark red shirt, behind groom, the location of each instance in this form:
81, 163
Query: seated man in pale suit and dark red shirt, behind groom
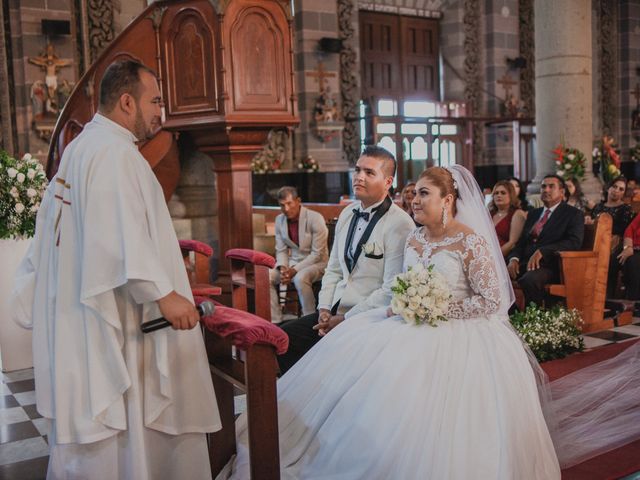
301, 251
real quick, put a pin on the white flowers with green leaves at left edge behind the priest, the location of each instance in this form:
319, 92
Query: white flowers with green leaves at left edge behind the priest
22, 184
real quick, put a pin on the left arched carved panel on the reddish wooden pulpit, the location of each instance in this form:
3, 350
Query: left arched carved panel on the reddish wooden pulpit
190, 52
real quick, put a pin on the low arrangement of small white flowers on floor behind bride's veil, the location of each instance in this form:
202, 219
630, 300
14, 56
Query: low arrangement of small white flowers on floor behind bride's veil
552, 333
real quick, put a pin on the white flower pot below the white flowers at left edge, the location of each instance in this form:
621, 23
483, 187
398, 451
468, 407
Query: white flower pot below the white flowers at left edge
15, 341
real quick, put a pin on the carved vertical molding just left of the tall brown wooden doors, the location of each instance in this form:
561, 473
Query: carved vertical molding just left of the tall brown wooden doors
349, 88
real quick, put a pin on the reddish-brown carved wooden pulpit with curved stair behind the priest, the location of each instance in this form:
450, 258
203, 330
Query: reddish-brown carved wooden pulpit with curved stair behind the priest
226, 75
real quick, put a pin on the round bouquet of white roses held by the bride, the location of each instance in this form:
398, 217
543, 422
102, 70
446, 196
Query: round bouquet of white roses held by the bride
421, 296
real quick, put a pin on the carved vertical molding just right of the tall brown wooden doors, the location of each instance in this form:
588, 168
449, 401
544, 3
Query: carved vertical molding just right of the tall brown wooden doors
471, 21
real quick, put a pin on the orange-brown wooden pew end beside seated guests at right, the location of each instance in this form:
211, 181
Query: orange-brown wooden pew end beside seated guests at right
583, 275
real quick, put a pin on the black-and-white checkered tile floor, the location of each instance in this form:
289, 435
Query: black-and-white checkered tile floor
23, 432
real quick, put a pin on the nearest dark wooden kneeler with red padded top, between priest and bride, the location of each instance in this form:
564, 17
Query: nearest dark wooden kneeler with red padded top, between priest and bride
253, 369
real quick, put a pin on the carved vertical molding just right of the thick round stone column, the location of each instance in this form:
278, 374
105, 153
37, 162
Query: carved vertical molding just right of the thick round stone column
607, 12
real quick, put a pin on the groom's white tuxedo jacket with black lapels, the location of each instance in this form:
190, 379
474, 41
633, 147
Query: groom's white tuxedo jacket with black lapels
368, 284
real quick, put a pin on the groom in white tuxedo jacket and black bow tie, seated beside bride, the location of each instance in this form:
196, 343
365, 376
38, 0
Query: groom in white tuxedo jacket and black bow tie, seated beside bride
367, 254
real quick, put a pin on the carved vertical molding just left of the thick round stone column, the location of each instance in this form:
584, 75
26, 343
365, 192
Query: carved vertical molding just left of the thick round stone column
527, 51
